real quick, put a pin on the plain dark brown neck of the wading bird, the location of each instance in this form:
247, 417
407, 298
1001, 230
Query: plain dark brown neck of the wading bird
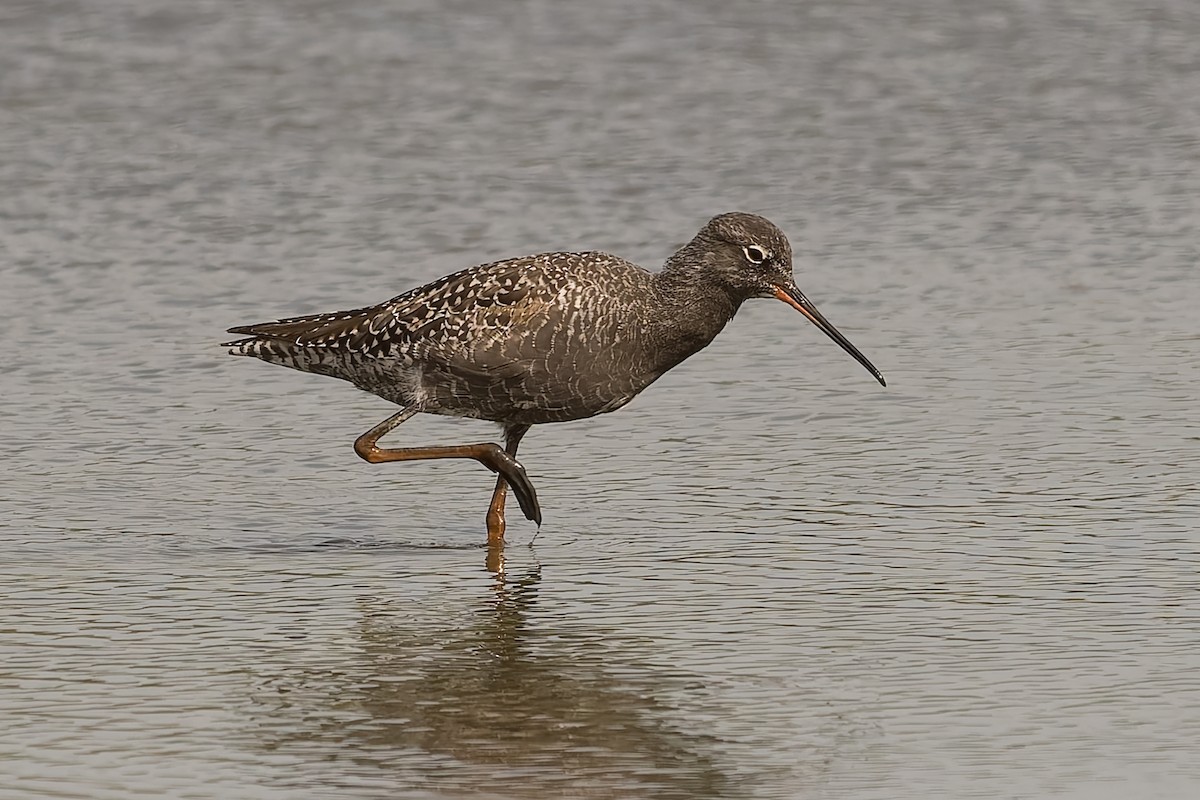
693, 309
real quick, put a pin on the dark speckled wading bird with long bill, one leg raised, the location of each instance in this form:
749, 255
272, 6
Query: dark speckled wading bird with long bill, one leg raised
542, 339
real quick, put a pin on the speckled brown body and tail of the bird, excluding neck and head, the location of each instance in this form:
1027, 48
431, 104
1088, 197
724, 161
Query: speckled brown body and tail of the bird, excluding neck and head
542, 339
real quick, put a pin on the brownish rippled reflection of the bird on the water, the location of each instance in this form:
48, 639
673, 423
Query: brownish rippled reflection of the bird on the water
497, 702
